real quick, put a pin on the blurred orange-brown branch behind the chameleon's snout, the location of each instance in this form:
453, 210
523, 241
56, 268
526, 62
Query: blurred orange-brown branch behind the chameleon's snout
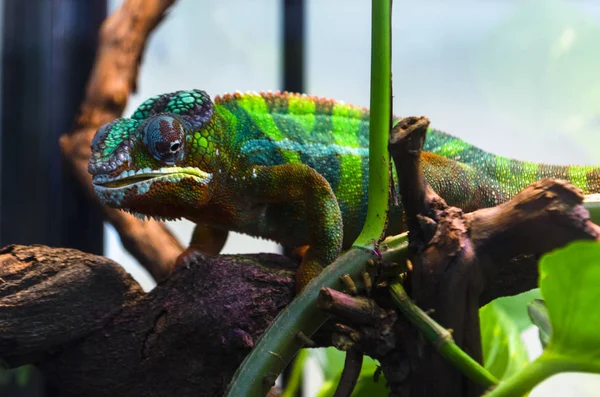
123, 37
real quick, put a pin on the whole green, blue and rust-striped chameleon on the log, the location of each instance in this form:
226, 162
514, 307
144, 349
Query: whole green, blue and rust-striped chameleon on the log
287, 167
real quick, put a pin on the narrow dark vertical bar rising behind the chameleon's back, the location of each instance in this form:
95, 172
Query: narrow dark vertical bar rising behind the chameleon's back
293, 45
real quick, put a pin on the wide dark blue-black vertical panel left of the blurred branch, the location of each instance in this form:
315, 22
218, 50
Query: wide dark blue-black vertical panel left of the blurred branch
47, 55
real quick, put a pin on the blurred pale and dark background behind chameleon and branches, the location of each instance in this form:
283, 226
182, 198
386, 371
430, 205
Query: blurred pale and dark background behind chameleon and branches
520, 78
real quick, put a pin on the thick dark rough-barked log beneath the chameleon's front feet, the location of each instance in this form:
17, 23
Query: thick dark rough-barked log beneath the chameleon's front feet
92, 330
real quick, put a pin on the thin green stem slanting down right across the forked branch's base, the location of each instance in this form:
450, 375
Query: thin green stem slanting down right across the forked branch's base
440, 337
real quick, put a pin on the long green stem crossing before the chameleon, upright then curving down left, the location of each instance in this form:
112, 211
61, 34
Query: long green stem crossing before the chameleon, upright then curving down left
278, 345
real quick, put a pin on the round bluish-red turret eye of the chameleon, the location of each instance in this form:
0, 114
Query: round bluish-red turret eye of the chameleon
164, 137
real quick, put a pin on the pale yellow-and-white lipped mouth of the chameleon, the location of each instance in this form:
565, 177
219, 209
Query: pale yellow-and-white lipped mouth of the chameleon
145, 177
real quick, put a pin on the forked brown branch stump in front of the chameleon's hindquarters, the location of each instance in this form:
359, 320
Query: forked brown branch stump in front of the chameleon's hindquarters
463, 261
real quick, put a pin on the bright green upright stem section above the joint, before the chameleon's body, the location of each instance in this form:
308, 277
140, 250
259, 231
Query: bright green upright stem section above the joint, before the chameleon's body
380, 123
